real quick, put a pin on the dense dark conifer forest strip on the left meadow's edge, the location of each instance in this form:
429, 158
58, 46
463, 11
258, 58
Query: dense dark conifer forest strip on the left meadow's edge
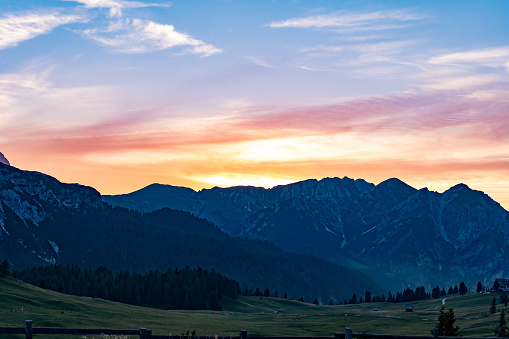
185, 289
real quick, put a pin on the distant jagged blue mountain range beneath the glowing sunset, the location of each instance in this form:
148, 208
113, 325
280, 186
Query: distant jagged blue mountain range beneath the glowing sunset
399, 235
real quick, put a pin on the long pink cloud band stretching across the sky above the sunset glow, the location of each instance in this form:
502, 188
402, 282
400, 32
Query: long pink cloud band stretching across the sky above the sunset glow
449, 115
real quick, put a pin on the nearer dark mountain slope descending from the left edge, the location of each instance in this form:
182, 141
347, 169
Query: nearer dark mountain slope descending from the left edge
44, 221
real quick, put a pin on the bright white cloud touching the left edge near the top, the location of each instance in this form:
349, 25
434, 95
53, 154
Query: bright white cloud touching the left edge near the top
17, 28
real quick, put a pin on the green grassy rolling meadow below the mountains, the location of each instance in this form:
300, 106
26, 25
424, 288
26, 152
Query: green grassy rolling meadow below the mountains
254, 314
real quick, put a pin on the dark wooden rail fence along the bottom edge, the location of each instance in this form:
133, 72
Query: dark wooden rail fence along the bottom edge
143, 333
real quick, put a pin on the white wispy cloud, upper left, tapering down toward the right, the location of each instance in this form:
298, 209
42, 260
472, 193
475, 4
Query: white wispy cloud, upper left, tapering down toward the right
142, 36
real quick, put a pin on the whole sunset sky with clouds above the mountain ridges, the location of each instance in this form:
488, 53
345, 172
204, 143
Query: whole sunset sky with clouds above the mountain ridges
119, 94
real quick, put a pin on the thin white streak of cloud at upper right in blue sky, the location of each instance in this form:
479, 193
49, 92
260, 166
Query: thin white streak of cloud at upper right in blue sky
363, 21
